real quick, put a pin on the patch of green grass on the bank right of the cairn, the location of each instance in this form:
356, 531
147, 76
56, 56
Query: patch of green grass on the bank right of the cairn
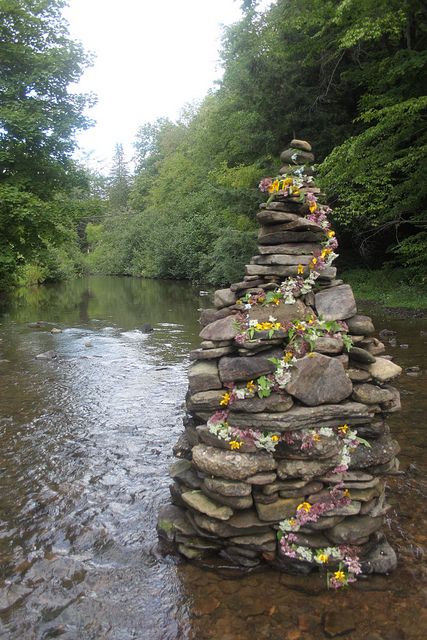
388, 287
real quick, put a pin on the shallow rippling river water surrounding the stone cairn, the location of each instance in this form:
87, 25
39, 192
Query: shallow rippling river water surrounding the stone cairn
85, 443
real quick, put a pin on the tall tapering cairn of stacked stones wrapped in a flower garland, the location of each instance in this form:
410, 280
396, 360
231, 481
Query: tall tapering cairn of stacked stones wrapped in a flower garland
285, 448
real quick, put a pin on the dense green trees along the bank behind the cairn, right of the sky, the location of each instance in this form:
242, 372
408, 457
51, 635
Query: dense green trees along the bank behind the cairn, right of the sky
350, 76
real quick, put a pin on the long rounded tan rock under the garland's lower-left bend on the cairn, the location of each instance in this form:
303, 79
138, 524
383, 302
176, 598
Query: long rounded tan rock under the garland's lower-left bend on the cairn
230, 464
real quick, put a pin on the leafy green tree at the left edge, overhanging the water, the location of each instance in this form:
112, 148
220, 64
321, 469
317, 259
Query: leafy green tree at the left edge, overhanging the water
38, 119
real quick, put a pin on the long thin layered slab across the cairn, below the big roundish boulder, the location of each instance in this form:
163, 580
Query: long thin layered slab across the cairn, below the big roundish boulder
328, 415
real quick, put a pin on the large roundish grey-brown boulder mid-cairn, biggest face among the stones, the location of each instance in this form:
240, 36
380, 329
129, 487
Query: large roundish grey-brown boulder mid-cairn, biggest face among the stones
319, 380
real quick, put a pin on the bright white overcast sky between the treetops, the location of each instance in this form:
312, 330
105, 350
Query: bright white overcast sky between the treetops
152, 57
